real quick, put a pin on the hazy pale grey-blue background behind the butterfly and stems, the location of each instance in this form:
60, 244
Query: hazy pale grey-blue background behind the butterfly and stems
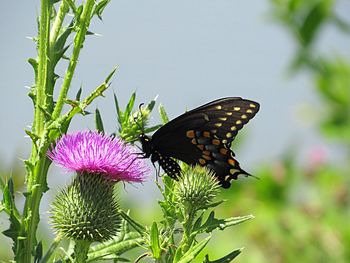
188, 53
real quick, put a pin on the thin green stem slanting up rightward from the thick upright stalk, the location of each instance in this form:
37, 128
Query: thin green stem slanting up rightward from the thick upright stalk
84, 23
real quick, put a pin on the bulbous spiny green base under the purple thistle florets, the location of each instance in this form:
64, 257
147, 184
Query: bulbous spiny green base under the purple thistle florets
87, 209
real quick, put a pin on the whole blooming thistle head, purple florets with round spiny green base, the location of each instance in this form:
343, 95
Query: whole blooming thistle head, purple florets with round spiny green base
87, 210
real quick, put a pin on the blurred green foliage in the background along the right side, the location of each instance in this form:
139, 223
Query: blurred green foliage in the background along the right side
302, 210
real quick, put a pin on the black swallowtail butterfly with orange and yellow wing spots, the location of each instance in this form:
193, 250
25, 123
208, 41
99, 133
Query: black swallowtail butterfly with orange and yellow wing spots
202, 136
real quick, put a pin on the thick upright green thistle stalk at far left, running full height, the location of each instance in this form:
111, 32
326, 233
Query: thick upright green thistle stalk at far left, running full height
30, 219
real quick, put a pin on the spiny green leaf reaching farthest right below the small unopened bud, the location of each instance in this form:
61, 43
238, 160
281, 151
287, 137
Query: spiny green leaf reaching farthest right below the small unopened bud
213, 223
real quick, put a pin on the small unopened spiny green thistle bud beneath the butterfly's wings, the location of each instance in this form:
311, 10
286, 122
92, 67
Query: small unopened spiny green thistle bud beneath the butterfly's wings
196, 188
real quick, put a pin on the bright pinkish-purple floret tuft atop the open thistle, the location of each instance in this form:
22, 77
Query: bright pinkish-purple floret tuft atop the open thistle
93, 152
